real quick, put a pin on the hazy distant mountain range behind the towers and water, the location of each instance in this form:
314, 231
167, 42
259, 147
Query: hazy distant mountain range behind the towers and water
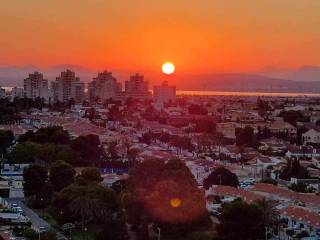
269, 79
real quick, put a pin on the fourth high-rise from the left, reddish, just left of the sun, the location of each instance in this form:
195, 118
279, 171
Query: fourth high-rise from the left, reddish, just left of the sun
137, 86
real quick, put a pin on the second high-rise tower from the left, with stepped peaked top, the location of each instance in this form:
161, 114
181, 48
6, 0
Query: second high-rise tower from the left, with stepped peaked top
66, 87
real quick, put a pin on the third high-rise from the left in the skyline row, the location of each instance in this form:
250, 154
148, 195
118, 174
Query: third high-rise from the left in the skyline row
104, 86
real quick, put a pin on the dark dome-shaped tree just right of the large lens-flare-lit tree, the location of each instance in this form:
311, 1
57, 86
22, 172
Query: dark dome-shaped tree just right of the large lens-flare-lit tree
221, 176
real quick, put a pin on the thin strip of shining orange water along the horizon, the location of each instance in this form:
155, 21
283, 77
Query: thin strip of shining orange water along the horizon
253, 94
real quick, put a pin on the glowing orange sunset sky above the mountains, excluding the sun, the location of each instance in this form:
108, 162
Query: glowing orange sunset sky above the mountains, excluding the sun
138, 35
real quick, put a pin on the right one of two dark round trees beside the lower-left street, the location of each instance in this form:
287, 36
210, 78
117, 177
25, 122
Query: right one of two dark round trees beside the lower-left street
61, 175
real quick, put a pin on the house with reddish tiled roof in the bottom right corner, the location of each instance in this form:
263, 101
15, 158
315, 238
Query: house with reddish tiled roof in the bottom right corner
301, 219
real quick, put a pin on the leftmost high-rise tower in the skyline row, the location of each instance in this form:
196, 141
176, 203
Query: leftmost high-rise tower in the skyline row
35, 86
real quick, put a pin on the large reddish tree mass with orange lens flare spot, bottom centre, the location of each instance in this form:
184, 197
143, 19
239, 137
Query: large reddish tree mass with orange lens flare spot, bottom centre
155, 184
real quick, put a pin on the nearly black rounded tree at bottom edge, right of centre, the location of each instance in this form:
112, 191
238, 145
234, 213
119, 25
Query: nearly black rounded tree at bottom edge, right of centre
240, 220
